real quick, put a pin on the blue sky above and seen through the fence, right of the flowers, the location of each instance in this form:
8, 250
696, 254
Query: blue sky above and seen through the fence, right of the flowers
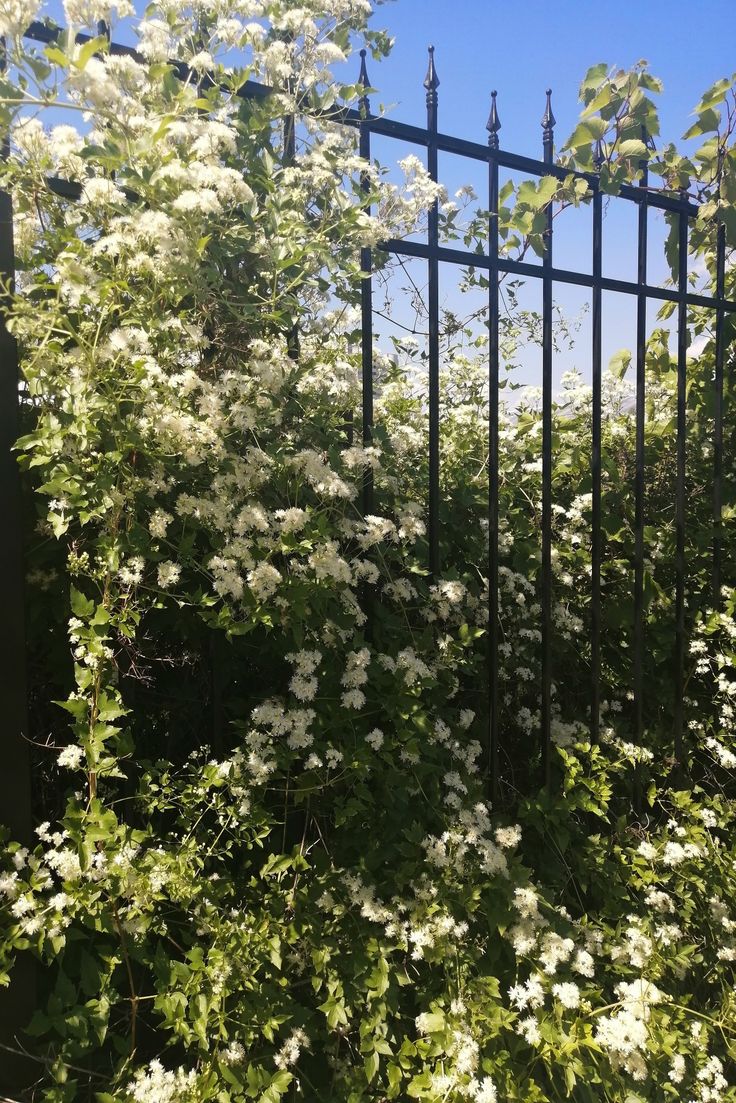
521, 50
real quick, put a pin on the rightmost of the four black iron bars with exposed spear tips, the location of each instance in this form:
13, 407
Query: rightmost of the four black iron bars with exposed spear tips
548, 142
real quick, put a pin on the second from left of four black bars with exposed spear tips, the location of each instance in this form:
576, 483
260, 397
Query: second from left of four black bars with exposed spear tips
432, 83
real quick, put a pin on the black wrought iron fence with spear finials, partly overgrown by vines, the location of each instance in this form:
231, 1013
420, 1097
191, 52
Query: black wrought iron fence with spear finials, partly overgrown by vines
16, 785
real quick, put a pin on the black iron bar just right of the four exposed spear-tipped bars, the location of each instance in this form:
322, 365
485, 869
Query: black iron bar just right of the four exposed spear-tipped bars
596, 457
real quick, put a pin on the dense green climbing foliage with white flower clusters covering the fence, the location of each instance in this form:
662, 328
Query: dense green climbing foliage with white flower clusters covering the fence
266, 863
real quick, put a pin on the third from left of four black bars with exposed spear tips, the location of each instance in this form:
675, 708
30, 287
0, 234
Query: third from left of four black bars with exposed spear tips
494, 126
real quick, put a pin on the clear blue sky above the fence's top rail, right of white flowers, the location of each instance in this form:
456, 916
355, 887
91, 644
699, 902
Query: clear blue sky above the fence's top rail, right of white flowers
525, 48
